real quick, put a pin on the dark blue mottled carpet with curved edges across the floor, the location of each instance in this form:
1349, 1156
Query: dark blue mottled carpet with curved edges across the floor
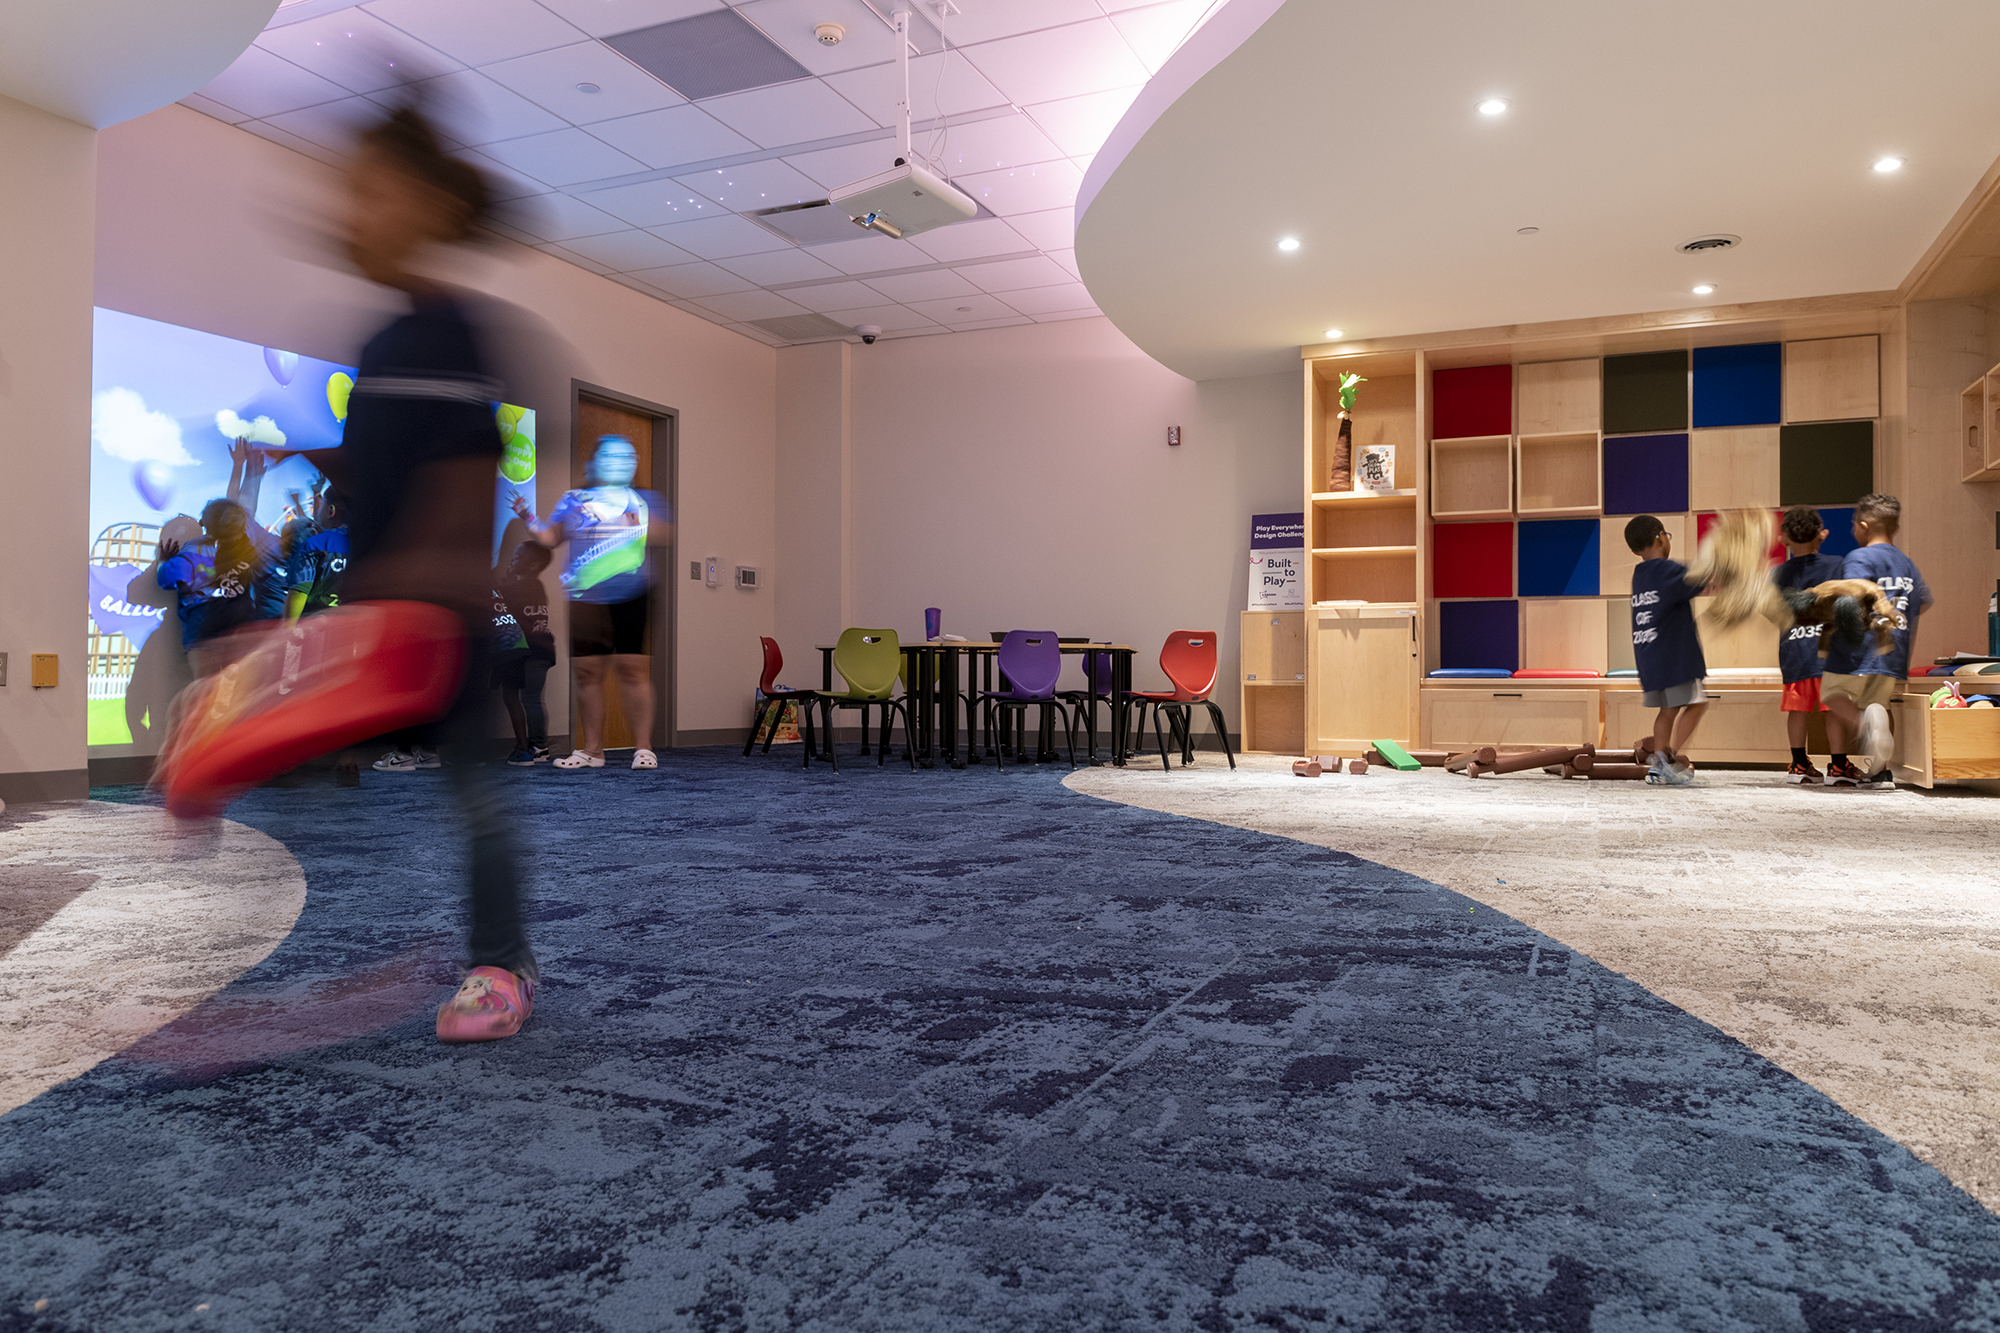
945, 1052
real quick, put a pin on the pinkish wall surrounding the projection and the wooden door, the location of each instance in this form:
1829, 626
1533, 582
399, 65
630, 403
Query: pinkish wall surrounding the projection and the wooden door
211, 227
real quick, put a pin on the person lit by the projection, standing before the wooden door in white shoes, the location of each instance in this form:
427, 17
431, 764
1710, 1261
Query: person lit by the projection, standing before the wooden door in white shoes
609, 529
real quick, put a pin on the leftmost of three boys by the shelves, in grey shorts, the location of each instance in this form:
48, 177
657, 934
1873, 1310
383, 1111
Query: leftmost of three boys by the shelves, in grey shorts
1667, 649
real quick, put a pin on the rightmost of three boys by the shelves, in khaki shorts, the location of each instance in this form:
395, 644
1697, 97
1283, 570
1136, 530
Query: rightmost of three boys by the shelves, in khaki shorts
1859, 680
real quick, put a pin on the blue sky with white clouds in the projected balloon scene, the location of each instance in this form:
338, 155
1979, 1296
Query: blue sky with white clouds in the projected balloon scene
155, 395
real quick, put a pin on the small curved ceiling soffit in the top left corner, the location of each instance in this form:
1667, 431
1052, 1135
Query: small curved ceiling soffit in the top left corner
109, 61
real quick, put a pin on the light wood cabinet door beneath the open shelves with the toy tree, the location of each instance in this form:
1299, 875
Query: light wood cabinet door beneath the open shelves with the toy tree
1363, 665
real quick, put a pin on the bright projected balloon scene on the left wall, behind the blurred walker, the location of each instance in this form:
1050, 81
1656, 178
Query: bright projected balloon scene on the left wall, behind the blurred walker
195, 525
